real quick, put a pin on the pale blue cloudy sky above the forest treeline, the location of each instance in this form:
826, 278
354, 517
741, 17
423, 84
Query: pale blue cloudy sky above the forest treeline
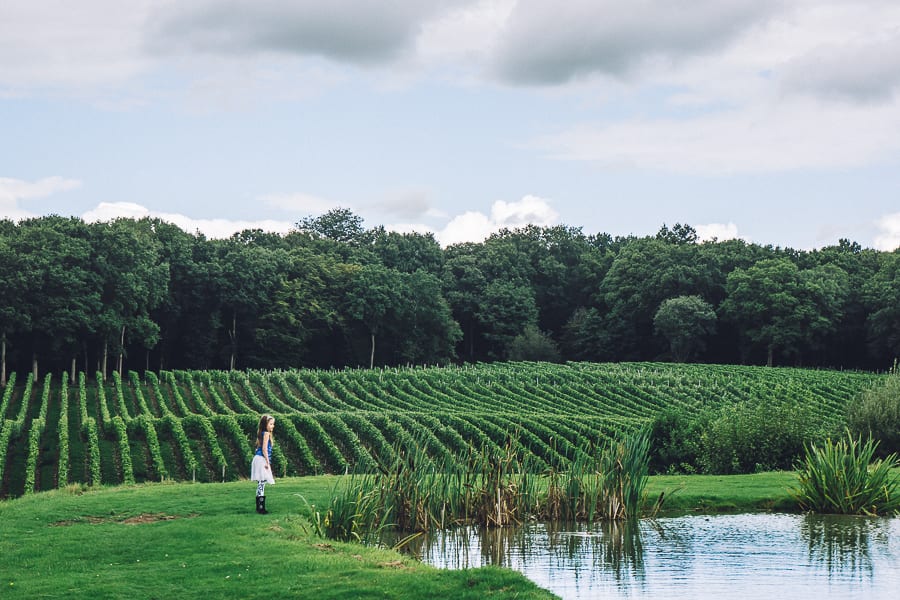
773, 121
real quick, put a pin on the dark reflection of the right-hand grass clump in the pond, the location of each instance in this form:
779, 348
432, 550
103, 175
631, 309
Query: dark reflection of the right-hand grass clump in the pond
841, 544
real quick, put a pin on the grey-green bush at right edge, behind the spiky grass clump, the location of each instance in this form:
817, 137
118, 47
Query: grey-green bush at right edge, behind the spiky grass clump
876, 413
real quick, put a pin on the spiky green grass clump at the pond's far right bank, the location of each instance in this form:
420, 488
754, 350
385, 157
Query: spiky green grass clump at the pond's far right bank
841, 478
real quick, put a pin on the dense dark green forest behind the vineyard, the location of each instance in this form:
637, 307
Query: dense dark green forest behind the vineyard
144, 294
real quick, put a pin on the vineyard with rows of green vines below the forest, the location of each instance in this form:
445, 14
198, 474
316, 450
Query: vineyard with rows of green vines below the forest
198, 425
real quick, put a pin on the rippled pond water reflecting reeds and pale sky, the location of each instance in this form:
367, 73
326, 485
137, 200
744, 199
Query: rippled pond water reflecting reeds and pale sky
744, 556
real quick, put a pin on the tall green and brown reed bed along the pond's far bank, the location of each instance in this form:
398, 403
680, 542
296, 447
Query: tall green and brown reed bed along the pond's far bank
490, 486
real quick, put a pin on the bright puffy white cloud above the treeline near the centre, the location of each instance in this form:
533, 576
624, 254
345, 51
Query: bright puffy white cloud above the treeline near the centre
473, 226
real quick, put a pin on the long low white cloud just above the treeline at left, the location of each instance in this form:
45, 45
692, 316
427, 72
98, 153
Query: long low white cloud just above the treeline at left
212, 228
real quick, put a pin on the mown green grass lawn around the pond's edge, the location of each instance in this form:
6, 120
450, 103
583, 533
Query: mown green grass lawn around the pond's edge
189, 540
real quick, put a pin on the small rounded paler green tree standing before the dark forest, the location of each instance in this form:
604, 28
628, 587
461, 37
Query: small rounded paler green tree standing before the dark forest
685, 321
